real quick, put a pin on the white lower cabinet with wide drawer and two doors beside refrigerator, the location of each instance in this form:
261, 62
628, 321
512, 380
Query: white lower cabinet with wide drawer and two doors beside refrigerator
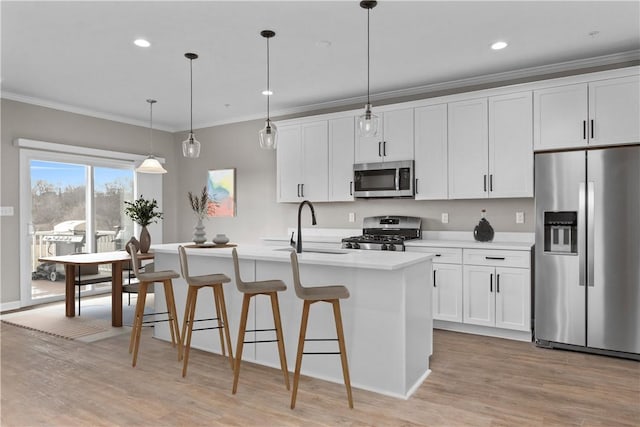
494, 293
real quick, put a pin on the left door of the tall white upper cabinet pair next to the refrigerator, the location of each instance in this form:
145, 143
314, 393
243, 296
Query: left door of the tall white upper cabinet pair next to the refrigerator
468, 149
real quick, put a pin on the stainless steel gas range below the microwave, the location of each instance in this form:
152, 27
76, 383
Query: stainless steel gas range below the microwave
385, 233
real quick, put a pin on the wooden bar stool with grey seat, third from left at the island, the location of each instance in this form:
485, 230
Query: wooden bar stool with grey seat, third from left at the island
251, 289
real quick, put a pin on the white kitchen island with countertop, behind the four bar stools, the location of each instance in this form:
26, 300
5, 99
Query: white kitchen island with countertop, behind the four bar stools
387, 319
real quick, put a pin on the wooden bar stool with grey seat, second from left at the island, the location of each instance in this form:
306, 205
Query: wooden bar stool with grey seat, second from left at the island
213, 281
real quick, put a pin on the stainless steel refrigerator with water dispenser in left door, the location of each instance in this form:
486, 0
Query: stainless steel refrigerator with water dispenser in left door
587, 252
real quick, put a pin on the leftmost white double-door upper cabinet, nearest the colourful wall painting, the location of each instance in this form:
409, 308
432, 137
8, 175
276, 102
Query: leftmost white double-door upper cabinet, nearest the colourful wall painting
303, 162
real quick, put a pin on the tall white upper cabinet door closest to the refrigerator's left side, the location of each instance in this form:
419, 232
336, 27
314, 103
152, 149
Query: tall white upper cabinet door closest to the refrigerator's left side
511, 145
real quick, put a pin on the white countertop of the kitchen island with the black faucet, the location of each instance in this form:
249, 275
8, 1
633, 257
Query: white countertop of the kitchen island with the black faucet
377, 260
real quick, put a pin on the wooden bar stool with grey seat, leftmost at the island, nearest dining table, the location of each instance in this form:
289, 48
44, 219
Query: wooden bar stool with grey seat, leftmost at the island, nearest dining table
145, 279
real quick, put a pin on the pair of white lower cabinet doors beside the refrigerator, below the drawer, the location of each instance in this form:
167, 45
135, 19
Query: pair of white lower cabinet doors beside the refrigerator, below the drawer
497, 296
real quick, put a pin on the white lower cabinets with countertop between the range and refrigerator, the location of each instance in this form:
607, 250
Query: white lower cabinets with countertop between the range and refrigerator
481, 287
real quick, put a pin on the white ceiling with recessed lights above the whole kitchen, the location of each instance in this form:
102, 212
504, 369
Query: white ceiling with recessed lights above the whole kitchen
79, 56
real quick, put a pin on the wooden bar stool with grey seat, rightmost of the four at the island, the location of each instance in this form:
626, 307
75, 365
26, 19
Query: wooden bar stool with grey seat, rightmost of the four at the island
331, 294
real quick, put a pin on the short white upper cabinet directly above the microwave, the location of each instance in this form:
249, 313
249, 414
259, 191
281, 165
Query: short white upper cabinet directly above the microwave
394, 141
